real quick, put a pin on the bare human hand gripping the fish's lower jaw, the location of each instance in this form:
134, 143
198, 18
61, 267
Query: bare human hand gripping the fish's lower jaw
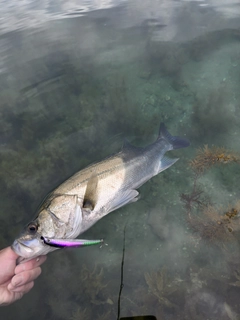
15, 281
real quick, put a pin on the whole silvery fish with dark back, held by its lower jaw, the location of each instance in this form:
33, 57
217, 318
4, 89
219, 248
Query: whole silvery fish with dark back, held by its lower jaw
92, 193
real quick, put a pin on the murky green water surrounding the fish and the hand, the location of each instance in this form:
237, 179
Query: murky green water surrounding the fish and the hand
76, 79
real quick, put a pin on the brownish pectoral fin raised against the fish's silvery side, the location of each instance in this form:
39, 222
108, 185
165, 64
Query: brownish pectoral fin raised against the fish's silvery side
90, 197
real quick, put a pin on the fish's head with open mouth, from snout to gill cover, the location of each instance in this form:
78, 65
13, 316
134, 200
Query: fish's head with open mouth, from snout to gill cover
60, 217
